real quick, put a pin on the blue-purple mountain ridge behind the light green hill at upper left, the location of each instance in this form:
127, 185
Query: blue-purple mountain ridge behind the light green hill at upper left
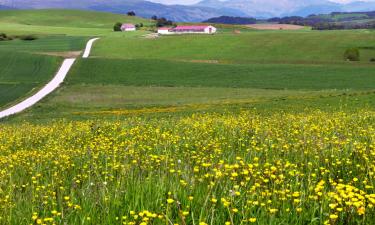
141, 7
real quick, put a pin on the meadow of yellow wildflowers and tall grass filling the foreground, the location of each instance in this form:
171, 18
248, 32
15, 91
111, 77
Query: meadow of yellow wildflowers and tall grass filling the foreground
246, 168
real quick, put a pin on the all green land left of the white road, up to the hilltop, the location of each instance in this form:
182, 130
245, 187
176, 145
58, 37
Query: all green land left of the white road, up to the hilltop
26, 66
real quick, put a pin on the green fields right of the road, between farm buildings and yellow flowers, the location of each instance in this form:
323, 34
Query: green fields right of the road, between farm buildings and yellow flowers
138, 73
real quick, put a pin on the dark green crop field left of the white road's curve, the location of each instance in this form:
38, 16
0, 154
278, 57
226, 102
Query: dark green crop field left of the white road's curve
26, 66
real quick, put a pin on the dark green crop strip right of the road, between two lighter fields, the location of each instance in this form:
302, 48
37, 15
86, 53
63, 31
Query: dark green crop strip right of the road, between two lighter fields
265, 76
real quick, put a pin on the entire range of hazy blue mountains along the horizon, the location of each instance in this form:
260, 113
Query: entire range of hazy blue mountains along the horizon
202, 10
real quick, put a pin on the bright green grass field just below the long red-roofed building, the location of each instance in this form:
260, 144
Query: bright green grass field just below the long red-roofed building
258, 46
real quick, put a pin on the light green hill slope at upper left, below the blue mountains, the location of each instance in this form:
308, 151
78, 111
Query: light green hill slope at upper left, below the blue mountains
57, 21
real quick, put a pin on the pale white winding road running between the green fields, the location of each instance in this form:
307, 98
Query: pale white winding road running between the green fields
48, 88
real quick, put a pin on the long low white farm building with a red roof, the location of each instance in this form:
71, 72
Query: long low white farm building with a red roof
201, 29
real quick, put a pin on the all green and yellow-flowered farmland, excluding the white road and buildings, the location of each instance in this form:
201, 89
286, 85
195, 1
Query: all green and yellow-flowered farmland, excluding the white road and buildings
249, 127
